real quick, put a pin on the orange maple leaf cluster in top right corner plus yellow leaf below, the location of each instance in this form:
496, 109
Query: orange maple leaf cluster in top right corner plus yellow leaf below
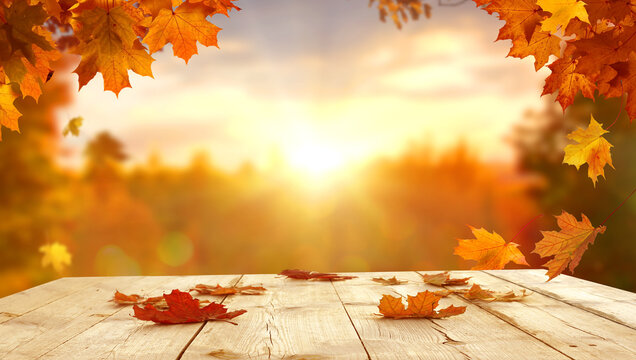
594, 42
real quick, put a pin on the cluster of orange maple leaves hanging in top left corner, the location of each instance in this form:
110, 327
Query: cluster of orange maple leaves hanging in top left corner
111, 37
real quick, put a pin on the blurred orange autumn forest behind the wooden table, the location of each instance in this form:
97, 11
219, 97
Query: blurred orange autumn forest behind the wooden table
402, 213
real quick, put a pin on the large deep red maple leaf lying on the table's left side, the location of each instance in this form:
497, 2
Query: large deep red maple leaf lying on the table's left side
182, 308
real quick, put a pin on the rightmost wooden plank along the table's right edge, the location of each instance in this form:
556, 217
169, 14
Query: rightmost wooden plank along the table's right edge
611, 303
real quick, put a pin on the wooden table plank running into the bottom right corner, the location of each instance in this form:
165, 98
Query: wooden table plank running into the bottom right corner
573, 331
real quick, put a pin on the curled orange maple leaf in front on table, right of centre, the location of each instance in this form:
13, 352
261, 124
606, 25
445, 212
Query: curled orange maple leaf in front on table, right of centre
420, 306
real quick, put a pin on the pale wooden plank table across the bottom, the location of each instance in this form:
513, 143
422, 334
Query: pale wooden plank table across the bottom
567, 318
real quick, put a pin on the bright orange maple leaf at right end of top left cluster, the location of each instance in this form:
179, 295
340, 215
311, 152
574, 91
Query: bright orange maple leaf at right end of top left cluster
181, 27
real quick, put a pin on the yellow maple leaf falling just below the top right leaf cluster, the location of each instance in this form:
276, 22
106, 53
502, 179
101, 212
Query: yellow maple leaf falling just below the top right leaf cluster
592, 148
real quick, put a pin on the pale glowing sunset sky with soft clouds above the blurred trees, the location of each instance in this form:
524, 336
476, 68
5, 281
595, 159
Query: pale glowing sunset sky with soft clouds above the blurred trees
319, 82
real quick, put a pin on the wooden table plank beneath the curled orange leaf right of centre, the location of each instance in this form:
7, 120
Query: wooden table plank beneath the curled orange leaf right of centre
475, 335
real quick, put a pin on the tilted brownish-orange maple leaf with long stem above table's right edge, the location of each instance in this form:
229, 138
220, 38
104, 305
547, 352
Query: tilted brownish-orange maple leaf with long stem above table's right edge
568, 245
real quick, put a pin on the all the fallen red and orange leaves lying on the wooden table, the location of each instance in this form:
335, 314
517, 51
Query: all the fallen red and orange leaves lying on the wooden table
180, 307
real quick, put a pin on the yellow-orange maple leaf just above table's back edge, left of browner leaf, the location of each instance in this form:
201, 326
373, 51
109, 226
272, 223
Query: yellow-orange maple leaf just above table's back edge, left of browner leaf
490, 250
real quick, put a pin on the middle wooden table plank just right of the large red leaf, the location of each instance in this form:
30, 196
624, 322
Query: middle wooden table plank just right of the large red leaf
295, 319
